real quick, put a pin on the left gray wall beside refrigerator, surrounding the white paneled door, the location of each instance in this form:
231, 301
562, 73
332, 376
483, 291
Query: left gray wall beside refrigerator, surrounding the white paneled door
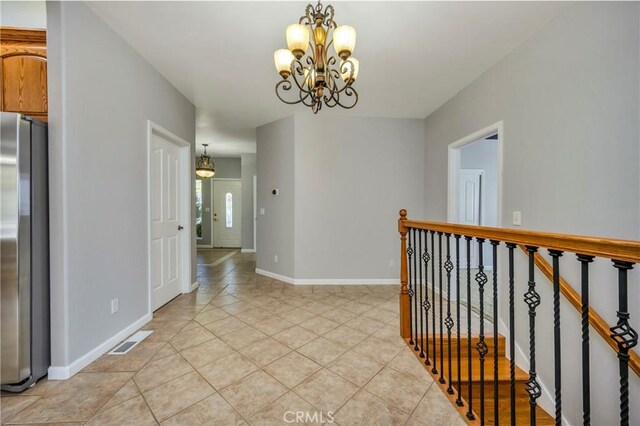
101, 94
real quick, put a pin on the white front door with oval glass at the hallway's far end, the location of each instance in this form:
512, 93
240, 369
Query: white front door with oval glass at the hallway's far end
227, 216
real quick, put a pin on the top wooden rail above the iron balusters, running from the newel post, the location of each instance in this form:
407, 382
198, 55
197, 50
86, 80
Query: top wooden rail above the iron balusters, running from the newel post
626, 250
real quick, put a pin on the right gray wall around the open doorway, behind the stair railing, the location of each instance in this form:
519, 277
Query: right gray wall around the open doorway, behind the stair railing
569, 100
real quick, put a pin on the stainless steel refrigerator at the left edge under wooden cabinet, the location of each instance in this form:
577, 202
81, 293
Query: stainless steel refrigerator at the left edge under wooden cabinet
24, 252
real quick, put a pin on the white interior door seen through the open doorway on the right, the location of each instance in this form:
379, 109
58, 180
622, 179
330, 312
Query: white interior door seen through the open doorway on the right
470, 206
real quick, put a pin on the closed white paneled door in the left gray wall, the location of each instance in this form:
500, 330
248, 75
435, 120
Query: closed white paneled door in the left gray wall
166, 221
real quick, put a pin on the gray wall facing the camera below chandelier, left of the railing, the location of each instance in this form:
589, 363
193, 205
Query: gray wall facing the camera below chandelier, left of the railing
352, 177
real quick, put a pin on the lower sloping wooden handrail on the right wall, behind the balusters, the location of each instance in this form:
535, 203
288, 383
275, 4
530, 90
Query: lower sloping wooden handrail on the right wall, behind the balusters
596, 321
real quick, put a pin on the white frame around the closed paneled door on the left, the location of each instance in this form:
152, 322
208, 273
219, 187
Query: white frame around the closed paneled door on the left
185, 158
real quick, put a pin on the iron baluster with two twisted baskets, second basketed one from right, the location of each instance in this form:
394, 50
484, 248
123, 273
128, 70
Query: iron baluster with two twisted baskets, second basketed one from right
532, 298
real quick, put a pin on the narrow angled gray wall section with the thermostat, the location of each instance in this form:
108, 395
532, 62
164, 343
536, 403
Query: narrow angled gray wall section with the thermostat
275, 162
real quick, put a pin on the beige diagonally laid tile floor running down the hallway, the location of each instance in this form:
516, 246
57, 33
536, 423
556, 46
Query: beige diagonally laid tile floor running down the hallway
246, 349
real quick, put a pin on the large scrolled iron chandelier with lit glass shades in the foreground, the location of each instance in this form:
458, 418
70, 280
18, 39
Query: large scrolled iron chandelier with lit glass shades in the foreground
316, 73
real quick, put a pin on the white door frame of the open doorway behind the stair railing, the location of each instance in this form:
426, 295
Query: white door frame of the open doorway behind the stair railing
454, 166
